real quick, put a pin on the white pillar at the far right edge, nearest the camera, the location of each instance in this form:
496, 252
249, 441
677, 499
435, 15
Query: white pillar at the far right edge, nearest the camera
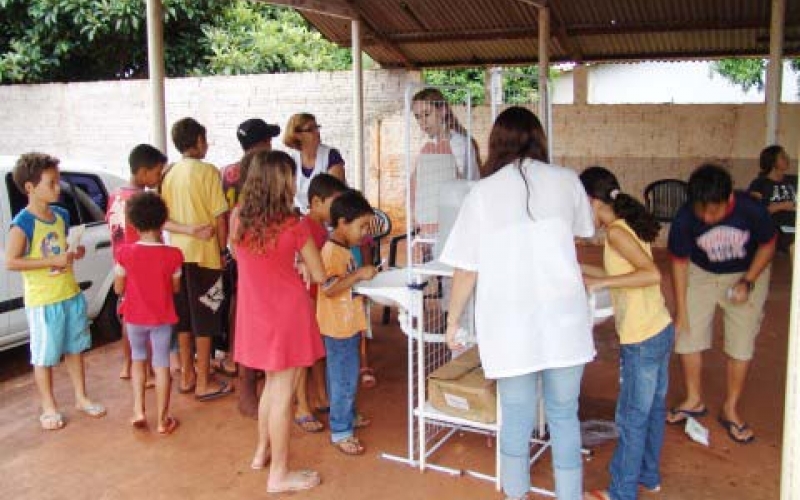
790, 461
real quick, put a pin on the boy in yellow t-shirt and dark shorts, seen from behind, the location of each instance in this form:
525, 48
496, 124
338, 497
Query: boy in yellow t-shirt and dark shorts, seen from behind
192, 190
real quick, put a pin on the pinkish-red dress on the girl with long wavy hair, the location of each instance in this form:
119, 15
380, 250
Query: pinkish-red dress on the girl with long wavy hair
276, 327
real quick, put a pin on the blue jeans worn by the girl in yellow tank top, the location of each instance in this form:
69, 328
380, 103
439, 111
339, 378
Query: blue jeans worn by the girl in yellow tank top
641, 413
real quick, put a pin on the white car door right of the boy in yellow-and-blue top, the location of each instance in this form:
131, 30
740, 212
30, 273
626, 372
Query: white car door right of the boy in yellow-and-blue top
85, 197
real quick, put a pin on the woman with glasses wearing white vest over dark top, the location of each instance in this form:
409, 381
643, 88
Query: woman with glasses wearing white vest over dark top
311, 156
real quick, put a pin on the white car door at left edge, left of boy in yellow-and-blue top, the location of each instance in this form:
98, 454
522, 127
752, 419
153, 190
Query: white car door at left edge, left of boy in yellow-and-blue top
13, 324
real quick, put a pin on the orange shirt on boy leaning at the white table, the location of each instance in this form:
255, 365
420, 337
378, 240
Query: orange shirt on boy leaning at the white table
342, 315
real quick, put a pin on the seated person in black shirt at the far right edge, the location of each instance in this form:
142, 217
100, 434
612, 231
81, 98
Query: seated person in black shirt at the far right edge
777, 190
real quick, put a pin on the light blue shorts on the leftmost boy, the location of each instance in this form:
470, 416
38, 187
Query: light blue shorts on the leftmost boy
58, 329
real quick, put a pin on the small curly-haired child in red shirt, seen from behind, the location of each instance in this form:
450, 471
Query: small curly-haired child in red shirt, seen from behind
149, 272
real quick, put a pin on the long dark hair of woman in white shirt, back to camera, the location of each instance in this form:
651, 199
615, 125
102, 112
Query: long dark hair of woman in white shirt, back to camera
516, 135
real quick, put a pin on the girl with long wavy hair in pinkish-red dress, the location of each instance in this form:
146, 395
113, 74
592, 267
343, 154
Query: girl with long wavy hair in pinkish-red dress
275, 326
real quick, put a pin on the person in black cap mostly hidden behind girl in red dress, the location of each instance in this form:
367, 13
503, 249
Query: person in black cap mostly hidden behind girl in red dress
254, 135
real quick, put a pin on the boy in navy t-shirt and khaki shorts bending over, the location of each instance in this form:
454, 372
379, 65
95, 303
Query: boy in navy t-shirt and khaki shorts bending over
722, 244
